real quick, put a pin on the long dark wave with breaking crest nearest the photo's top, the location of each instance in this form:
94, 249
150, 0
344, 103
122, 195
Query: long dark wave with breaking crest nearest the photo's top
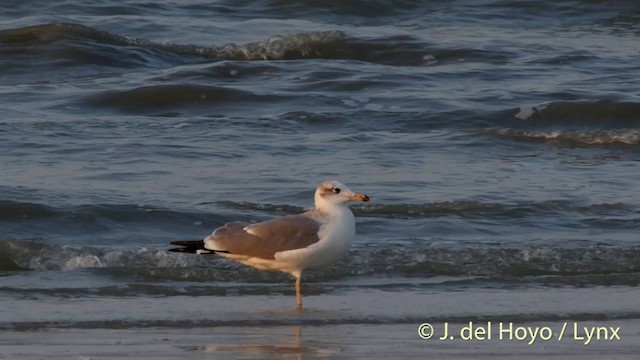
78, 44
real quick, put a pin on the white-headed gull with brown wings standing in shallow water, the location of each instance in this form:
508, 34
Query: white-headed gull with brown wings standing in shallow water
291, 244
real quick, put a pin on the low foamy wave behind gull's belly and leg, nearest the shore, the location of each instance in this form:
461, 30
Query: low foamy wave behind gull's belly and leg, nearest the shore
428, 260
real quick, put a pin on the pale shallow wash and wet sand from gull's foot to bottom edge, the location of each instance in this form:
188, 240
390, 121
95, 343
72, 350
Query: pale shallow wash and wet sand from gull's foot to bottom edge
375, 324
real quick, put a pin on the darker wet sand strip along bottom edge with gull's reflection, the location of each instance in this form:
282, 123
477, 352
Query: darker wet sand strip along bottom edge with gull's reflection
381, 341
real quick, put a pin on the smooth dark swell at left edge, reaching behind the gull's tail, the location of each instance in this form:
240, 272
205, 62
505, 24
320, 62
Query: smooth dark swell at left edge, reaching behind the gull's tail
116, 222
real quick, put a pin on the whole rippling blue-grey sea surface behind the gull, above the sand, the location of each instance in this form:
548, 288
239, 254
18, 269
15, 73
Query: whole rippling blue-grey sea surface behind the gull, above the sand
499, 141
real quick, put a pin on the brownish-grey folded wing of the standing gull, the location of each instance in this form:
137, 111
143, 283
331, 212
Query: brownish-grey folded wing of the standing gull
265, 239
